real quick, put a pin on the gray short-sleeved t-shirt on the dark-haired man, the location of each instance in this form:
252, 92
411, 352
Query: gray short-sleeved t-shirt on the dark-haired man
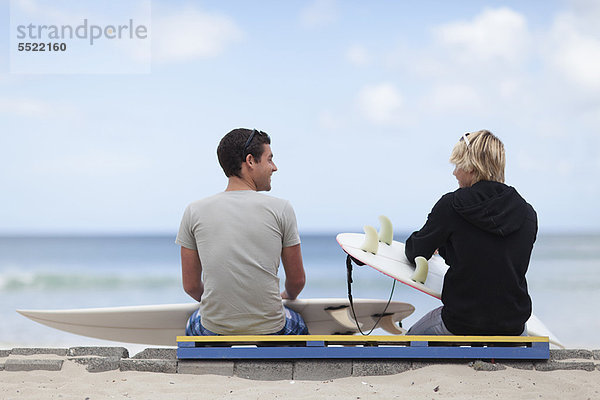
239, 236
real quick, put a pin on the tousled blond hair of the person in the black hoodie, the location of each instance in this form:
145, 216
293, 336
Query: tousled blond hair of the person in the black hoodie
481, 152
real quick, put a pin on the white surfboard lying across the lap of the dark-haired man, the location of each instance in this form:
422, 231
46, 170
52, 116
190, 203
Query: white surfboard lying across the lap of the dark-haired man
161, 324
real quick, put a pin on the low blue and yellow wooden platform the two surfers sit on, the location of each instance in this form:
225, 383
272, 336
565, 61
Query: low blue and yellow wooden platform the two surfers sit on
354, 346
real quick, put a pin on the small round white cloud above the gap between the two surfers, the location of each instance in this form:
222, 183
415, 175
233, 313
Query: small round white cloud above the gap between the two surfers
381, 104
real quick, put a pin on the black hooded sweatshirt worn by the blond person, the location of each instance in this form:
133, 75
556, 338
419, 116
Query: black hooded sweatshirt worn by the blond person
485, 233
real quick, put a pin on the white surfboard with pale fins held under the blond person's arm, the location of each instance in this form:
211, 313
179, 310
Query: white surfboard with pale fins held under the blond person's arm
391, 260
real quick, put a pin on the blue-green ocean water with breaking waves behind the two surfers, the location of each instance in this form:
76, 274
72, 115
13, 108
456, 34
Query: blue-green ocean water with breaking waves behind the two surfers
77, 272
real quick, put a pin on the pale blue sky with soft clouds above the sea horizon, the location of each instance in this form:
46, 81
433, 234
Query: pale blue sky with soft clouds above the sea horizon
363, 102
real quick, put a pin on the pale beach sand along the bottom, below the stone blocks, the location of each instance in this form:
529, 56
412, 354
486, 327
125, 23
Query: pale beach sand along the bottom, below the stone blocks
432, 382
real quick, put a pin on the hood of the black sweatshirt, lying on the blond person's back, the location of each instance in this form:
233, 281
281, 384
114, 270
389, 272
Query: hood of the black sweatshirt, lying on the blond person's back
491, 206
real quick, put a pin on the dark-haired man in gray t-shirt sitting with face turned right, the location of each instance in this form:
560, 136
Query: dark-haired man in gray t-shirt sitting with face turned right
232, 243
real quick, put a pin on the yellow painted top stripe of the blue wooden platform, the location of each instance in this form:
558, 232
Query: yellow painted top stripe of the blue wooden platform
366, 339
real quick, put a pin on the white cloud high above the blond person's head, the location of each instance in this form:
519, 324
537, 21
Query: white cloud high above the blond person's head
495, 35
